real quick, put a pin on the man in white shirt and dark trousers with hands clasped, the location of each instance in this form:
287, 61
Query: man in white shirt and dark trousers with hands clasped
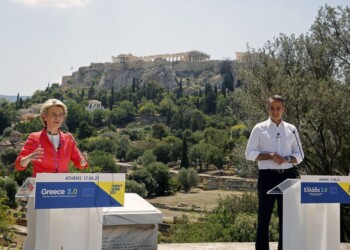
274, 143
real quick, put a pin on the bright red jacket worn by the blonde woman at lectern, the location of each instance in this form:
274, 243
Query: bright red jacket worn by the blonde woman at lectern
53, 161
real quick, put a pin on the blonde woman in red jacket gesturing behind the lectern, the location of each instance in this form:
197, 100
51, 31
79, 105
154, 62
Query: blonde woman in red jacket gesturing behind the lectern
49, 151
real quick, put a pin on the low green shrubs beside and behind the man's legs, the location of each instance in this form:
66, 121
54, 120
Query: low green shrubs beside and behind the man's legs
234, 219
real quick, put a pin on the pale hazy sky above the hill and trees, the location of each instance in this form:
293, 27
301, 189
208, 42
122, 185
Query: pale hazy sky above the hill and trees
43, 40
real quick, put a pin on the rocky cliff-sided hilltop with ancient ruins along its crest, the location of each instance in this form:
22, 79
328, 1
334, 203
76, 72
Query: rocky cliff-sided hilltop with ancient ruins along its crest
194, 68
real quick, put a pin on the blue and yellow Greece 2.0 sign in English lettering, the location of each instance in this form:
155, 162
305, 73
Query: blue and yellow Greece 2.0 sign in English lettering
62, 190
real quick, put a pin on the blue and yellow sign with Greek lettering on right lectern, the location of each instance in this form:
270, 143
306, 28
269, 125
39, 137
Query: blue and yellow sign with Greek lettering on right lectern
325, 189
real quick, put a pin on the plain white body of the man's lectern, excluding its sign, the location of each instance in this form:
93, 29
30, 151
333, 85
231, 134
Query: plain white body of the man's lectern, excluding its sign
307, 226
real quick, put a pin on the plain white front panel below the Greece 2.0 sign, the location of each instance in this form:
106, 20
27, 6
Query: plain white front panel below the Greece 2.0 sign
69, 229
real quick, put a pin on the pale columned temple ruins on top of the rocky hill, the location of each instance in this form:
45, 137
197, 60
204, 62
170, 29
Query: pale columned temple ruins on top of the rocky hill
191, 56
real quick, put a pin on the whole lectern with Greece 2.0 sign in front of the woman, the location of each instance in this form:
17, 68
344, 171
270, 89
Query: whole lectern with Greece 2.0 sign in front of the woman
68, 210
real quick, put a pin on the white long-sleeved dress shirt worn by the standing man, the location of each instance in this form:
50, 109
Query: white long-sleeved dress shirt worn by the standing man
267, 137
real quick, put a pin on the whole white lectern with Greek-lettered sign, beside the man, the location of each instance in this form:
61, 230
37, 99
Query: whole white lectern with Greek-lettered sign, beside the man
311, 211
